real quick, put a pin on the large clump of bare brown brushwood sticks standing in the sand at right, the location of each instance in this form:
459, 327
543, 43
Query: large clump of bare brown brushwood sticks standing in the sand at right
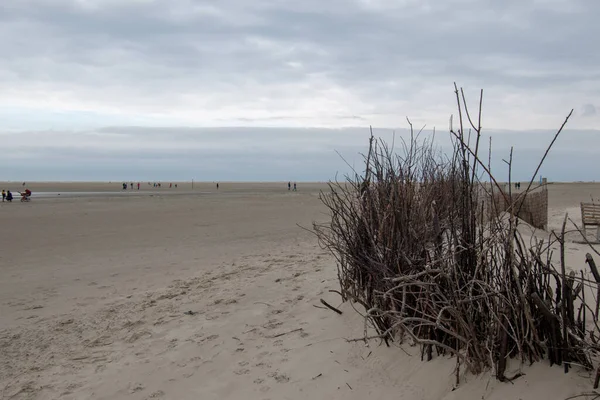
415, 247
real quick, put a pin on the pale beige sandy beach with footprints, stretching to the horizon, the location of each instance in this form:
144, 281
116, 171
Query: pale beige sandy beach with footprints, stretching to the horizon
208, 295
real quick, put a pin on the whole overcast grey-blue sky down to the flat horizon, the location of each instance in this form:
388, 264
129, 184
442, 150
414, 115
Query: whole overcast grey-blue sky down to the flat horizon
274, 90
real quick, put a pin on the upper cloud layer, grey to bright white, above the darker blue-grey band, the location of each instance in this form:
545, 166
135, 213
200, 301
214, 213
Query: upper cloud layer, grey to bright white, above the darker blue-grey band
91, 63
